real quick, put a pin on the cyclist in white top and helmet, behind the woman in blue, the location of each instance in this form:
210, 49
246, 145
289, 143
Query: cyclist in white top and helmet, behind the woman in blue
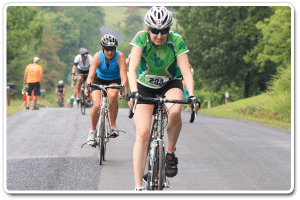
82, 63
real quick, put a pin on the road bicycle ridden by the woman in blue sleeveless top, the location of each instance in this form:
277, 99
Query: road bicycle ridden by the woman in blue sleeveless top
103, 125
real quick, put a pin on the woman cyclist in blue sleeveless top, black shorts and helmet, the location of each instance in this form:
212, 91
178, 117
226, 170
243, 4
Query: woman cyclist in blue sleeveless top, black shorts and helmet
108, 67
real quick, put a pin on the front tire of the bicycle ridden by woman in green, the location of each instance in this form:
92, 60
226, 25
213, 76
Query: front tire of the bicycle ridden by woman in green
161, 169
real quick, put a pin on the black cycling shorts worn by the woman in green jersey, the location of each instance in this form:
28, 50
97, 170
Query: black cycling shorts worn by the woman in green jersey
149, 92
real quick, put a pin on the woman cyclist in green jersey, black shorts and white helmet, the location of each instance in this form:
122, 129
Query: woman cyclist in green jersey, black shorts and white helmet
158, 62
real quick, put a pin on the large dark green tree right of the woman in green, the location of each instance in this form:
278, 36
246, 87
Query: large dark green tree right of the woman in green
218, 38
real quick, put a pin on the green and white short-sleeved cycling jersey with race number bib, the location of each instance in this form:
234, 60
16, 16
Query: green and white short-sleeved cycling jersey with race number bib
159, 64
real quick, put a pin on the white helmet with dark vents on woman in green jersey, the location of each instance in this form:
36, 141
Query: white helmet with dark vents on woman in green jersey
158, 17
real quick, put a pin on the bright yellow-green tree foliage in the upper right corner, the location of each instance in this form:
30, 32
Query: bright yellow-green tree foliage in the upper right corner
275, 45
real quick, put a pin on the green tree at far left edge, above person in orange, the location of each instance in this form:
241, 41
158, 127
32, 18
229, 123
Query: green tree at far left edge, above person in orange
24, 35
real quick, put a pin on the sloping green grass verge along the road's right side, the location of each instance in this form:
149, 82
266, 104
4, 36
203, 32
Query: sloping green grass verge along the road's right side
254, 109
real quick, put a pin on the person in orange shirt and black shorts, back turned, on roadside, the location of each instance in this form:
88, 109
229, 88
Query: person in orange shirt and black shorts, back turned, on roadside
33, 76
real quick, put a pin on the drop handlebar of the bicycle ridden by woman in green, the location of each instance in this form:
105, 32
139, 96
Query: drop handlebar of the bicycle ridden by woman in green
163, 100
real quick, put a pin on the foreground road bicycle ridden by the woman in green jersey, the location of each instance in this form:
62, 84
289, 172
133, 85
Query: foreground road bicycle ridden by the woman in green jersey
155, 177
